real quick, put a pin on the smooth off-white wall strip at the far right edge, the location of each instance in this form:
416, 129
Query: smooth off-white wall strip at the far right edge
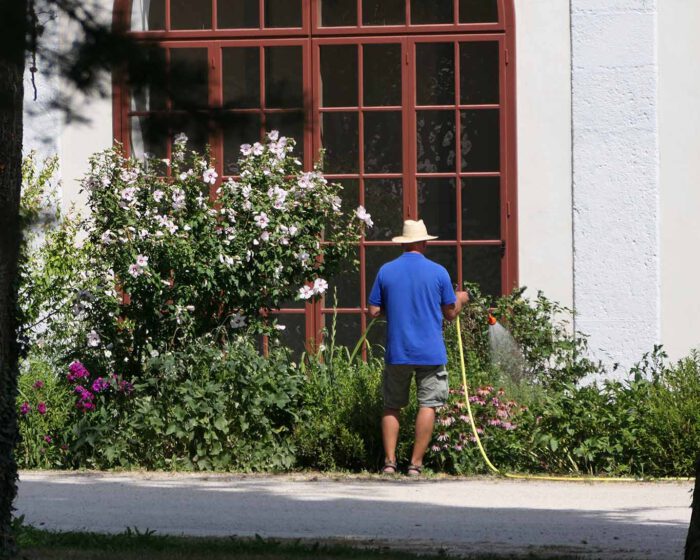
679, 133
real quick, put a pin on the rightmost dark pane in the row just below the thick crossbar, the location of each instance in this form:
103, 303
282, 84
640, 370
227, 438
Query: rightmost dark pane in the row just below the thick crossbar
478, 72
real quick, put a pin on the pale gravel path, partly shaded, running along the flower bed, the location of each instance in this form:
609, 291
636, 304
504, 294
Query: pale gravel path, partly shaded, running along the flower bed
630, 521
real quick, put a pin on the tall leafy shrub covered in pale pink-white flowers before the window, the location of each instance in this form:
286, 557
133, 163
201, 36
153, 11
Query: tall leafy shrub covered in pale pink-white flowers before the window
188, 263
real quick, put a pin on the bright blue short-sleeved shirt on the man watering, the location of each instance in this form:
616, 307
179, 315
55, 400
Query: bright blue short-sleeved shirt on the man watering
411, 291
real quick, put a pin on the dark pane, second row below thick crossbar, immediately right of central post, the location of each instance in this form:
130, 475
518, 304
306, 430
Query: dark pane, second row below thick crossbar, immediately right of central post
340, 138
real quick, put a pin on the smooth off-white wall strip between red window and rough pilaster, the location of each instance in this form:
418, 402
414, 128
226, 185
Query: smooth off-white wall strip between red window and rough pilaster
544, 147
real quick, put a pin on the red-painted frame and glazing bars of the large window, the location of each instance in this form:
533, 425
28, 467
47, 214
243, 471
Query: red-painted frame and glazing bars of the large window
311, 36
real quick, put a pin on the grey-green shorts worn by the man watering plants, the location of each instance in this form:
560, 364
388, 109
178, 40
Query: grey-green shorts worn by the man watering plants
431, 385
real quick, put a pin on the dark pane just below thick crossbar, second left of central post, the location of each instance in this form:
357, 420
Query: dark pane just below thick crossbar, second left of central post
241, 77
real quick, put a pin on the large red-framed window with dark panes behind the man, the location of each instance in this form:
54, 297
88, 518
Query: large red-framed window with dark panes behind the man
412, 100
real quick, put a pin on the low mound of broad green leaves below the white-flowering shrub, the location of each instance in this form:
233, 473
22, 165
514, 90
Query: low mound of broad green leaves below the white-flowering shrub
209, 406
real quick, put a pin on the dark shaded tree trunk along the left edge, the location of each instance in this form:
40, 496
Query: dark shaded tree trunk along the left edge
13, 25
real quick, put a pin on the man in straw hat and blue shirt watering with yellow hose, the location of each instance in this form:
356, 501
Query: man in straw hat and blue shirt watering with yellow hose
415, 294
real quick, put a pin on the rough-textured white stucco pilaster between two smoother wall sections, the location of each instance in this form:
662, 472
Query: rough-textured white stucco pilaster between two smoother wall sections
616, 176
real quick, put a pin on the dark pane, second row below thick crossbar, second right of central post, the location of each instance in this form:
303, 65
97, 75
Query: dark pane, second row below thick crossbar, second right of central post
383, 142
